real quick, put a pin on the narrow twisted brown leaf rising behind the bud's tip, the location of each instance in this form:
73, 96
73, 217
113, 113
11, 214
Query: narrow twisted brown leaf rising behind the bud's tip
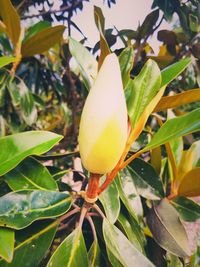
100, 23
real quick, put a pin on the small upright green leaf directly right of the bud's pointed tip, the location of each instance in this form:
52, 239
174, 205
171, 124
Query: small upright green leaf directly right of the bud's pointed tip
126, 59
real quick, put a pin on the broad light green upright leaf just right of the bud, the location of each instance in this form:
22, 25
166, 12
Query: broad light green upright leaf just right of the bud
142, 90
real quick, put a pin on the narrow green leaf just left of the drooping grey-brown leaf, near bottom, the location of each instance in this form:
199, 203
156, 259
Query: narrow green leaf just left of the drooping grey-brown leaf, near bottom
133, 231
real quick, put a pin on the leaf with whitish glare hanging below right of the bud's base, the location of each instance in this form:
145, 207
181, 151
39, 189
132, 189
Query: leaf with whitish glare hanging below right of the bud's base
129, 194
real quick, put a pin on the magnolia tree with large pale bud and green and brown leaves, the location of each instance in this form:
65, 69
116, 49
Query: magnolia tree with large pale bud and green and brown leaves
132, 198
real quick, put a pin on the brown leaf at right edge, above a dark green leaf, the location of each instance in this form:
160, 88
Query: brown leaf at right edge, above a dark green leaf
190, 183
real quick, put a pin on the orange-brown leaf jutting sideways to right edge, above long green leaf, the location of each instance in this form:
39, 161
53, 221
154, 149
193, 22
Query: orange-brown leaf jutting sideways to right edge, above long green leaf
174, 101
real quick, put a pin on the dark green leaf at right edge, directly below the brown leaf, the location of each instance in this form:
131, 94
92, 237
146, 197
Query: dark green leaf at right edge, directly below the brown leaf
187, 208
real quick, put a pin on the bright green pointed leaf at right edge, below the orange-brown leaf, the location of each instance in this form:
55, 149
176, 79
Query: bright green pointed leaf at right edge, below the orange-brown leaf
176, 127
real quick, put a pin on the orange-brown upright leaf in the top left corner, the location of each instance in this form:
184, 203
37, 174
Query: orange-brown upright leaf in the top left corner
11, 20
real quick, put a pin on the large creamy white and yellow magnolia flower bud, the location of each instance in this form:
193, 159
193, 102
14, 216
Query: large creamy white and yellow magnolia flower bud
103, 126
